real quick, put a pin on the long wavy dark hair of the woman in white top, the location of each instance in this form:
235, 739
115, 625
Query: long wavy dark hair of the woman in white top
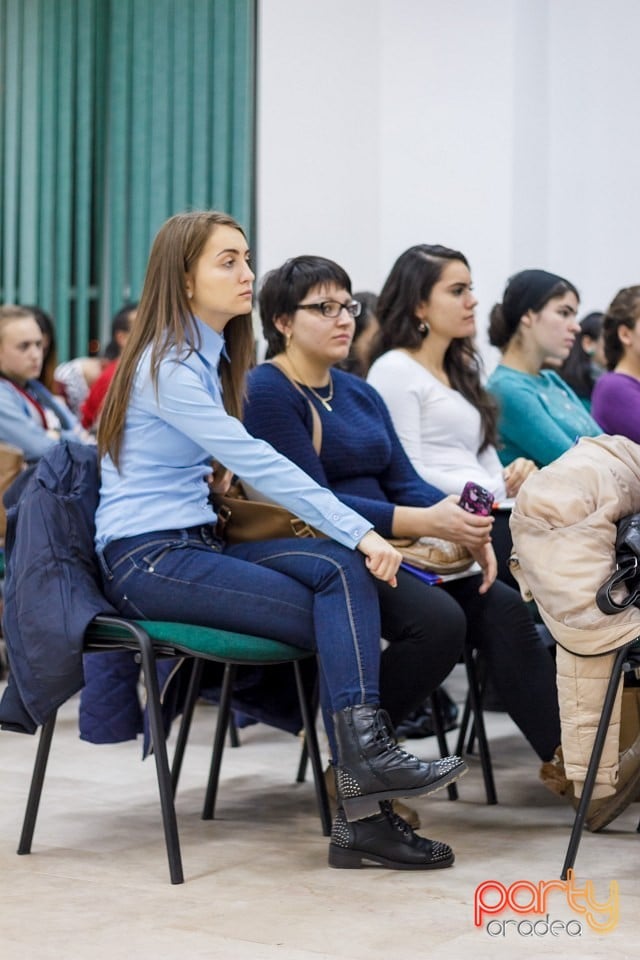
410, 282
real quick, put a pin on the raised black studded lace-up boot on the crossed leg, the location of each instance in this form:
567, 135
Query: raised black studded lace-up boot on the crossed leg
371, 766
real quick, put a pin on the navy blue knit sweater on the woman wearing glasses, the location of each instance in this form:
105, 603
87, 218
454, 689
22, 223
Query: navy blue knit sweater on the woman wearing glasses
361, 459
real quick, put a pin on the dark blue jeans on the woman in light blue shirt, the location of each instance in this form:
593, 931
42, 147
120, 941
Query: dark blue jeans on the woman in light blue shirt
311, 593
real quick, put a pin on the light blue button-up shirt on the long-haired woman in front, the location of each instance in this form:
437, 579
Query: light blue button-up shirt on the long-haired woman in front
171, 436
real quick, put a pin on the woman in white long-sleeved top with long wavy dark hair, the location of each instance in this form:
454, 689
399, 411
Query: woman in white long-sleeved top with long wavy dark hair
428, 372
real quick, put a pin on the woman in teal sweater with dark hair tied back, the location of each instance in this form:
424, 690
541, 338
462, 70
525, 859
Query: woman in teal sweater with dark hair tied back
540, 415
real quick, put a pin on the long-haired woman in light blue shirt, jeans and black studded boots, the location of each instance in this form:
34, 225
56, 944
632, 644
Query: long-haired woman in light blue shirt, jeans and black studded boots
174, 405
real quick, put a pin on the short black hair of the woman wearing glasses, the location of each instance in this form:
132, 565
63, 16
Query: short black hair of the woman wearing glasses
285, 287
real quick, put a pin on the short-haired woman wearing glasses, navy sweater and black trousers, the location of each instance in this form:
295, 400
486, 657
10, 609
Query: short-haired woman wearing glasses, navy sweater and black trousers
307, 314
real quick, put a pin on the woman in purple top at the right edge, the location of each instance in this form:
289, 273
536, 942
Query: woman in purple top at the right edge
616, 395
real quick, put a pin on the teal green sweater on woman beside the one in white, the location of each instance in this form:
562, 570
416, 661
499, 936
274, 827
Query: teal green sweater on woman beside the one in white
539, 416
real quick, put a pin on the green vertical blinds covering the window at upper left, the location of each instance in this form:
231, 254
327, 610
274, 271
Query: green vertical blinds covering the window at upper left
115, 114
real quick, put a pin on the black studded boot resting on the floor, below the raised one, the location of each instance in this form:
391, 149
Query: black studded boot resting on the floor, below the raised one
385, 840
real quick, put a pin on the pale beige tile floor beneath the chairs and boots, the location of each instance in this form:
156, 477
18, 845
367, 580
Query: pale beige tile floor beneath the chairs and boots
257, 884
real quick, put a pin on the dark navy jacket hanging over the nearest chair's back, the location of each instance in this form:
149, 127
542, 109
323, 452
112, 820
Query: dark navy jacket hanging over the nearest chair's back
52, 588
